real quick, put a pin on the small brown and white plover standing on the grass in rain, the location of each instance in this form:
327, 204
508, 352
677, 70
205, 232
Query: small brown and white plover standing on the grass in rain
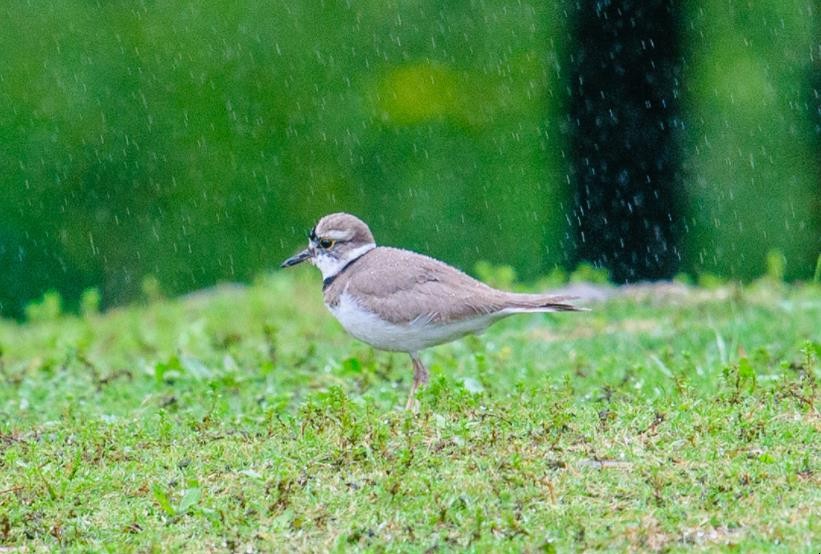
401, 301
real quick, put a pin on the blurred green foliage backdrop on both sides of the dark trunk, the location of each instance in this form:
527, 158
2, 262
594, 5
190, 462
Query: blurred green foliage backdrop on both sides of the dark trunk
196, 142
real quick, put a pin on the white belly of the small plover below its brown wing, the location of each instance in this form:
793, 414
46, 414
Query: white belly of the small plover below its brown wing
410, 337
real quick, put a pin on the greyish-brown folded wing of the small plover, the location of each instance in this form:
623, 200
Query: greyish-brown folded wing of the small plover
407, 287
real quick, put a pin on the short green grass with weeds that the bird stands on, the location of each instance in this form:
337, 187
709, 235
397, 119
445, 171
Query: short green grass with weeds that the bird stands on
239, 419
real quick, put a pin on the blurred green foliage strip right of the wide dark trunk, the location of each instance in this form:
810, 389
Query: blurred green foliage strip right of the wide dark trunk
754, 135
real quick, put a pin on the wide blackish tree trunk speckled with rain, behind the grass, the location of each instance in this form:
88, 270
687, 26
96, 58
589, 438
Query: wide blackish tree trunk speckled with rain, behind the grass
624, 124
